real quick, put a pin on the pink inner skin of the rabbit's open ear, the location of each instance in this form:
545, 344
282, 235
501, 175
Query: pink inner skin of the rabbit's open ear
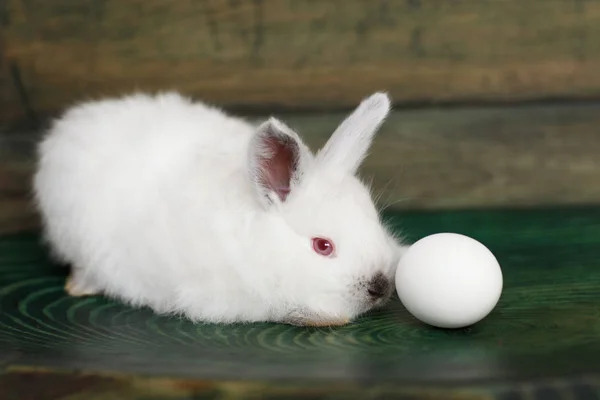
276, 171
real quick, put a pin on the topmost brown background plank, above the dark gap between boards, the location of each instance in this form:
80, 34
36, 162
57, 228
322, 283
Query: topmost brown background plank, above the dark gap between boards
302, 53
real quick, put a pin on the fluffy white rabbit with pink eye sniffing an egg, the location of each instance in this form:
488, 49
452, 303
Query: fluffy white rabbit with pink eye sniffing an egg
162, 202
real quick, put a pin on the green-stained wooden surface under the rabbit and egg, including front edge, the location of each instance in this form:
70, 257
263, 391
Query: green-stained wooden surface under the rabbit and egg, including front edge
542, 341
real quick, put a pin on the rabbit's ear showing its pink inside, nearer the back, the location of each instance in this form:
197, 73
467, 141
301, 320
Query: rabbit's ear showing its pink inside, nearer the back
277, 158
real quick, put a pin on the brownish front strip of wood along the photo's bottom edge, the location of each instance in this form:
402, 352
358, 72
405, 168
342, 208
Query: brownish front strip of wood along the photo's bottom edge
48, 384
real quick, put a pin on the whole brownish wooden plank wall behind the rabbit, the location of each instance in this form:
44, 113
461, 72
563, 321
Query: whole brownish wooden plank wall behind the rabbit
443, 62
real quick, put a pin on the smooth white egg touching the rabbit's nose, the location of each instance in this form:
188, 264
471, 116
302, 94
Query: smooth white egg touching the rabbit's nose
449, 280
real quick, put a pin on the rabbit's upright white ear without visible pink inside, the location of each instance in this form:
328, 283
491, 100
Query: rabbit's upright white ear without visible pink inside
350, 142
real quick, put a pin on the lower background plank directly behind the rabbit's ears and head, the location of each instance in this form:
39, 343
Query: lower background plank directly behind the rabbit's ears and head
425, 159
